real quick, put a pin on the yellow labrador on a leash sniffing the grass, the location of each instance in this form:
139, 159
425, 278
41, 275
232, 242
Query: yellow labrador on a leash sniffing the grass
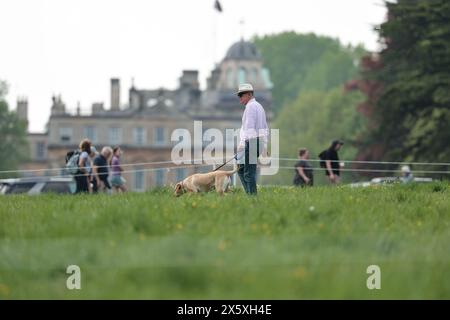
203, 182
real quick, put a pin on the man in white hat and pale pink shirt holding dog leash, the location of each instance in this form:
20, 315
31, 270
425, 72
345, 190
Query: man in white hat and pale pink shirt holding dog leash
253, 137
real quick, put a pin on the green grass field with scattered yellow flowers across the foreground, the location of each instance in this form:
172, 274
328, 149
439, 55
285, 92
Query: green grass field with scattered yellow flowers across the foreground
285, 243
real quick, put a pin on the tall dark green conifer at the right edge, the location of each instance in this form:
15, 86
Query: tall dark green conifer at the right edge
410, 110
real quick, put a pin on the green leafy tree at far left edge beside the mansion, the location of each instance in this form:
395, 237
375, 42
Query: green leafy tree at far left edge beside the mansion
13, 141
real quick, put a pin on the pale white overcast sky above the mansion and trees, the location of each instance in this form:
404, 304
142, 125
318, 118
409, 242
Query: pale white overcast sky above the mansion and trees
73, 48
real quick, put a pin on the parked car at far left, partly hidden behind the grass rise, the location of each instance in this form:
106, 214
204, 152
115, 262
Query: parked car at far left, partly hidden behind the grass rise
37, 185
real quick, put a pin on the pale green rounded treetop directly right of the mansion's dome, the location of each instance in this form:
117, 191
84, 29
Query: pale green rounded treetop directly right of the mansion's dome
299, 62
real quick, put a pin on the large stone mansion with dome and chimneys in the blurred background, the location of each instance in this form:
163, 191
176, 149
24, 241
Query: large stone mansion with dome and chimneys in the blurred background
143, 126
